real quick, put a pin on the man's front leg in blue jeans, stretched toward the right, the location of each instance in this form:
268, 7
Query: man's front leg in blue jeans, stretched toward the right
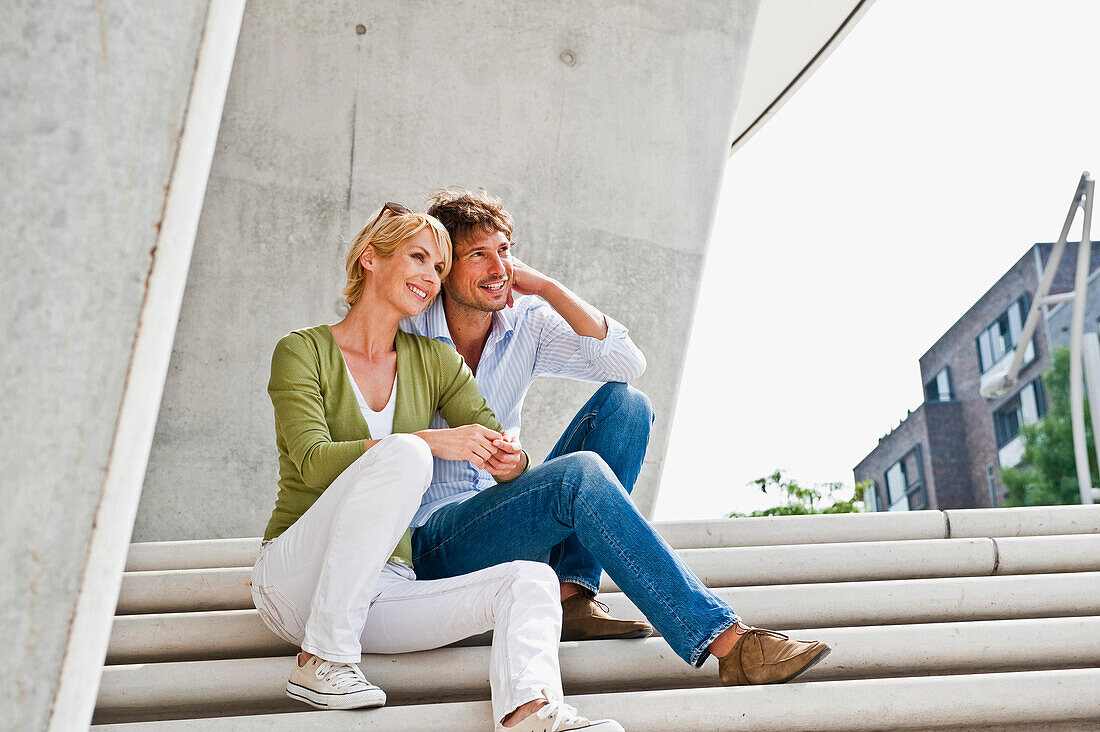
577, 495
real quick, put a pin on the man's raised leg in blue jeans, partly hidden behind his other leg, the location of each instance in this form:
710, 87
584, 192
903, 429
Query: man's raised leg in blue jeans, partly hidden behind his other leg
614, 424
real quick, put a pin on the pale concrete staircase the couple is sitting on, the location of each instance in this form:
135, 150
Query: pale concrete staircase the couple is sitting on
984, 619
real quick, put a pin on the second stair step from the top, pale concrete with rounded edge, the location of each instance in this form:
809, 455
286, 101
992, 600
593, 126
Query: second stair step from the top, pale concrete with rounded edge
228, 588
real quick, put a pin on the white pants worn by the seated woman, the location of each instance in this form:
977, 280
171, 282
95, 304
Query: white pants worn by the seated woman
325, 584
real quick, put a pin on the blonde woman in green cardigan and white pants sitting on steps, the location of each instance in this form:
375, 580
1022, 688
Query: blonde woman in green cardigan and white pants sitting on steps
353, 408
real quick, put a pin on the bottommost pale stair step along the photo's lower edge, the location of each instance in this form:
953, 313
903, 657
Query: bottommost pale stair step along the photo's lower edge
1025, 700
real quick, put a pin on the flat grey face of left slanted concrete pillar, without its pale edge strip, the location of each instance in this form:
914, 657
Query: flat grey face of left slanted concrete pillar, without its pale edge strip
93, 96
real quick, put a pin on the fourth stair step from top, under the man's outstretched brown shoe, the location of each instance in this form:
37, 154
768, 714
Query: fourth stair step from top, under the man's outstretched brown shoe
257, 685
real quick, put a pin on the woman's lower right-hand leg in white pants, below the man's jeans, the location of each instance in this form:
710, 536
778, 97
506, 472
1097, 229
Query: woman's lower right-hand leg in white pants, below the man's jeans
518, 600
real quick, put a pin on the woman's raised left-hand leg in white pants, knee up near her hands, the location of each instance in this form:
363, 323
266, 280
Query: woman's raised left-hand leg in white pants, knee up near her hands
316, 582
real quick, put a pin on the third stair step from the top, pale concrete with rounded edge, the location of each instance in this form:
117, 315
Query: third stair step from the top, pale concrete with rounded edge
240, 633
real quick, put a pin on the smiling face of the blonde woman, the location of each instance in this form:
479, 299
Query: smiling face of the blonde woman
410, 278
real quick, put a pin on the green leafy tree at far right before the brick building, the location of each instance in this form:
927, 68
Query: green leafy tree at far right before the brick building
1048, 474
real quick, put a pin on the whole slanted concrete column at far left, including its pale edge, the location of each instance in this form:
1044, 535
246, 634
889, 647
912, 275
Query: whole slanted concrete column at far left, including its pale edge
111, 113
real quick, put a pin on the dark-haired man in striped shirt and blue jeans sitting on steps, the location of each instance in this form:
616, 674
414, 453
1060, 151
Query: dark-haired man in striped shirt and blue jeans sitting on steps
513, 324
